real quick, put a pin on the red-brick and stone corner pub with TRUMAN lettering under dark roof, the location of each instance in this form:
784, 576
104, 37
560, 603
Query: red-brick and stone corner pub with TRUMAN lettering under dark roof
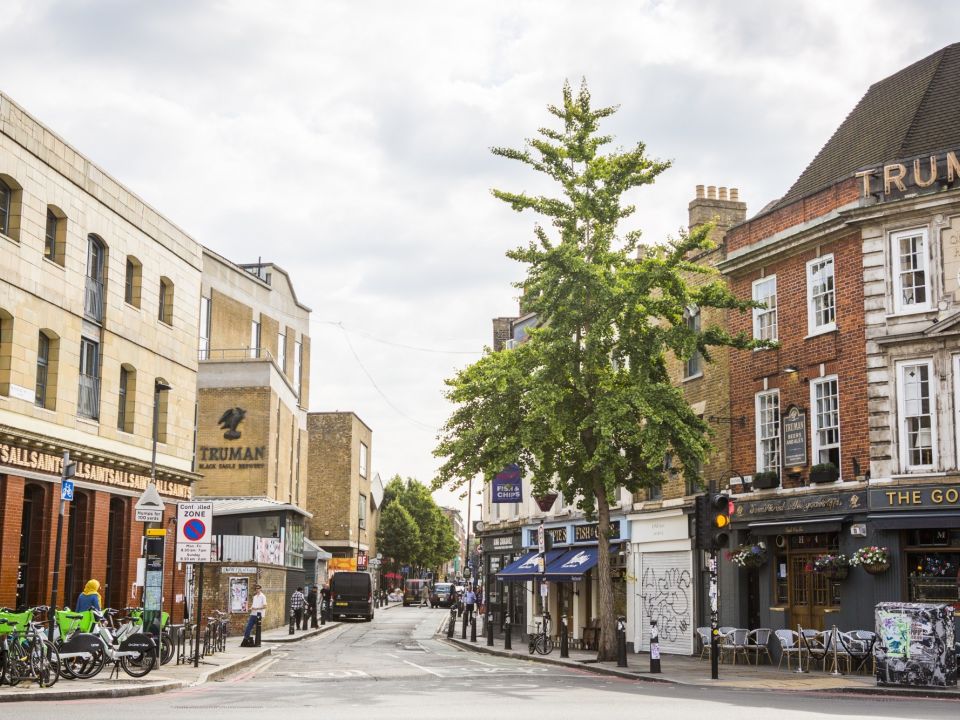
851, 419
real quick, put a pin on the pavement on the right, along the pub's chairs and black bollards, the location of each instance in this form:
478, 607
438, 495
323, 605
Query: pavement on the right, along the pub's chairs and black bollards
692, 671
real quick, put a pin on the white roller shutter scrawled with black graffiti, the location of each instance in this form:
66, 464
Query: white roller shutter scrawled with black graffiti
665, 585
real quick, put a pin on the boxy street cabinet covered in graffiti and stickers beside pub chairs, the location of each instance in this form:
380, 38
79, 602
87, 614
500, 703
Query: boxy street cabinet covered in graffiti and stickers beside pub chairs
915, 645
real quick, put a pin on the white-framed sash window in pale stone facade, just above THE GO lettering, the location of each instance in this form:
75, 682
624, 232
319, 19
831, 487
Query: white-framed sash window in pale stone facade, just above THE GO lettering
917, 410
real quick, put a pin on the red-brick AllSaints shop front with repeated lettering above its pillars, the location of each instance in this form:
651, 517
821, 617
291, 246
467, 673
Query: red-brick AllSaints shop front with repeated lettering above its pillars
101, 538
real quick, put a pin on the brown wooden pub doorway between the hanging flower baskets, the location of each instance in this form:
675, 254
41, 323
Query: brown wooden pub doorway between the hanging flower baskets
810, 595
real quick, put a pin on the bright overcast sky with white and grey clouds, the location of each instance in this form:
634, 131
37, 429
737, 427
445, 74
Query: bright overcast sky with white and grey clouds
348, 142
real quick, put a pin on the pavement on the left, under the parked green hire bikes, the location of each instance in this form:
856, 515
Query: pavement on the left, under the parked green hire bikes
171, 676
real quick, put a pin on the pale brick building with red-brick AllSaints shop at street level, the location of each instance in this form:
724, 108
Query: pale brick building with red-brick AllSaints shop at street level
98, 299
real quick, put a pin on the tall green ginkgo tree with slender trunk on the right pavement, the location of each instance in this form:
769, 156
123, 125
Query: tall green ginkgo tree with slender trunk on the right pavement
585, 406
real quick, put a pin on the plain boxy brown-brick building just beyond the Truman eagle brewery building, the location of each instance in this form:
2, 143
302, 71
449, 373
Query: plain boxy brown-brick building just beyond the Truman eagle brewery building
340, 489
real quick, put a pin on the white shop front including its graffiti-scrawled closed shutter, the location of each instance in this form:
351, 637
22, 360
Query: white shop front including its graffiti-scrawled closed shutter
662, 585
